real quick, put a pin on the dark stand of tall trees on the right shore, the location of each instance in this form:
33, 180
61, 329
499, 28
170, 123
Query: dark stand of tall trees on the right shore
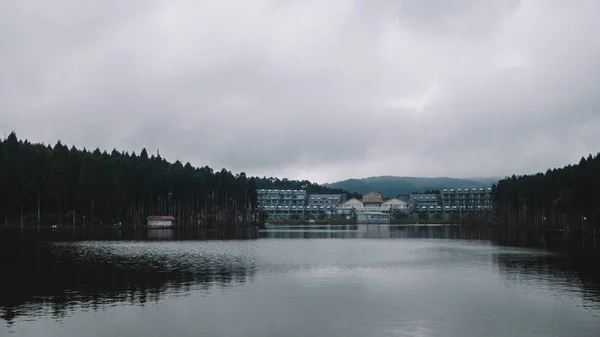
567, 197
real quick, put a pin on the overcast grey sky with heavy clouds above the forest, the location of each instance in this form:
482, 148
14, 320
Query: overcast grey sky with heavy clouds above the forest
323, 90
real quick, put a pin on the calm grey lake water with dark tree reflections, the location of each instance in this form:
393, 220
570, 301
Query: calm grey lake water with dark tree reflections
349, 281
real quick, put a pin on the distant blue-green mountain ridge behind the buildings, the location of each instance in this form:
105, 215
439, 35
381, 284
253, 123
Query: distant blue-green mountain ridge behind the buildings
391, 186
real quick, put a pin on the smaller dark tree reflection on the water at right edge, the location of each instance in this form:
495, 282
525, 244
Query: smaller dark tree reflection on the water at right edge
572, 273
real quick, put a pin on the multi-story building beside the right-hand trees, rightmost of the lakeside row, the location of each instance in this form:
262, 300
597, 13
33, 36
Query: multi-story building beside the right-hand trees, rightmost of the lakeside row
466, 199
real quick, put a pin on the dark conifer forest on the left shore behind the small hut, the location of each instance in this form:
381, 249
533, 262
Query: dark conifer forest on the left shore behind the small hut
87, 188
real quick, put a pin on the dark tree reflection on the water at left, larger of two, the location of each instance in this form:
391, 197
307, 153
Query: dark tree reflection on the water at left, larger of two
56, 278
